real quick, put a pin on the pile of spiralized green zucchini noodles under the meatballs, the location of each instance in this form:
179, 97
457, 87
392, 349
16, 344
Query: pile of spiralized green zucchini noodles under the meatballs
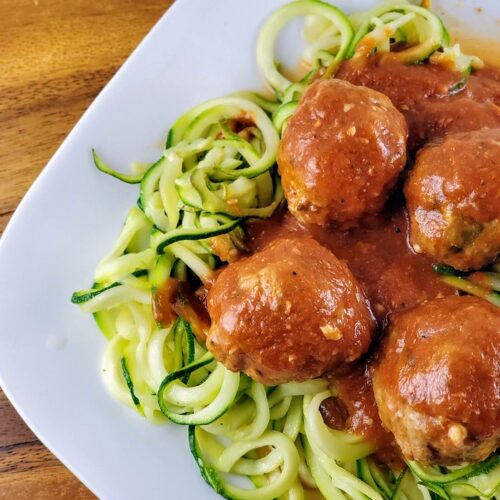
218, 169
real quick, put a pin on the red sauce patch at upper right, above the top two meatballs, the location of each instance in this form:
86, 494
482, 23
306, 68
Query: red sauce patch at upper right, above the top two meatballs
433, 99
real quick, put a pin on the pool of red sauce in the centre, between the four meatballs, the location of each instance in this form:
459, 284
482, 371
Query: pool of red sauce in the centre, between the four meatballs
393, 277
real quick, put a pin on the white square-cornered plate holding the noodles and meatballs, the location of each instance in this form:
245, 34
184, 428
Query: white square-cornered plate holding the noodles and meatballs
50, 352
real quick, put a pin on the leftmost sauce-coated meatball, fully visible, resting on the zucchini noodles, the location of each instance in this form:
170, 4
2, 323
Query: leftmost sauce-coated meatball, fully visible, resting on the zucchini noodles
292, 311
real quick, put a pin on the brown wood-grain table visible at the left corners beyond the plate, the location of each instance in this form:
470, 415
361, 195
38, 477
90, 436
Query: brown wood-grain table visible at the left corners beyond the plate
55, 56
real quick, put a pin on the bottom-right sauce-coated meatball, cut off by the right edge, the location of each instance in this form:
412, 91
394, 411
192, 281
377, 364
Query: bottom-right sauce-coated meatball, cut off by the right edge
436, 380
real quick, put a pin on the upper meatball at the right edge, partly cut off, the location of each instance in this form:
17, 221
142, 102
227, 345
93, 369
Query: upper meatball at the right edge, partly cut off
453, 197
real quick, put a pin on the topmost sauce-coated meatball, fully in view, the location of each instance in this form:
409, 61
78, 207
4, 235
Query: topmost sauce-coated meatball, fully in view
341, 153
